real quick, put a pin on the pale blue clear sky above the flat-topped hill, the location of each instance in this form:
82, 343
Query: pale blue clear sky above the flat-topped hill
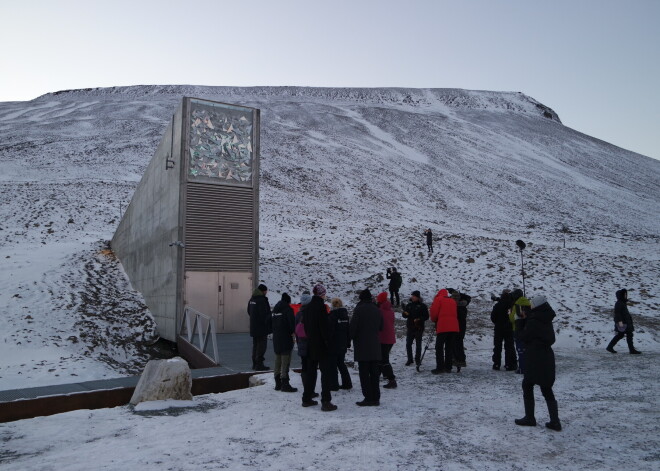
595, 62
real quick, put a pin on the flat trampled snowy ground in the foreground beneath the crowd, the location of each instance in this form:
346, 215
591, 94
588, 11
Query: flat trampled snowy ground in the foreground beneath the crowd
608, 404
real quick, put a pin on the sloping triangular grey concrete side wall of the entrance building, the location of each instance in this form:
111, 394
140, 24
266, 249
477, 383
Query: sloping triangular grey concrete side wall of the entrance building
151, 223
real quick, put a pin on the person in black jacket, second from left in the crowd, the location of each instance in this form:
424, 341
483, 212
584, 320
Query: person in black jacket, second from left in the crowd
284, 324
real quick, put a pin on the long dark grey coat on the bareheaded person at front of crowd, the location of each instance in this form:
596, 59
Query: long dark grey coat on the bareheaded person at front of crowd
365, 327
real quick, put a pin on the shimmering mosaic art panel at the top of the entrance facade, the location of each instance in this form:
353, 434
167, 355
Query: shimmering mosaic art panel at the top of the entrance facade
220, 142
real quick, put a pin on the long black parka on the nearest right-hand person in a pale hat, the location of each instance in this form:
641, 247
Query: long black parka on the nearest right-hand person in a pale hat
538, 335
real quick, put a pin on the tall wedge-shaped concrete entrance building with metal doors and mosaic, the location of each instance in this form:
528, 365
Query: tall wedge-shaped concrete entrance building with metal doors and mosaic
189, 237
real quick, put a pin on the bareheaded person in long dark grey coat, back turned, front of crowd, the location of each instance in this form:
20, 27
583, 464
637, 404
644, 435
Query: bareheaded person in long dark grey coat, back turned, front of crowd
365, 327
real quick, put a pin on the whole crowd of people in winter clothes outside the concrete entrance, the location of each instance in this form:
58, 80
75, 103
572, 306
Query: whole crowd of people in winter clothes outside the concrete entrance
324, 333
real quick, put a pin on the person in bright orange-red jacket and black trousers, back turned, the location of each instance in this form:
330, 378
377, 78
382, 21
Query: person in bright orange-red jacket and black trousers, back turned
444, 314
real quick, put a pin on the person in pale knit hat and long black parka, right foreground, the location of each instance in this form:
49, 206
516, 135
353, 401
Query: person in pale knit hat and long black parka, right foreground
538, 335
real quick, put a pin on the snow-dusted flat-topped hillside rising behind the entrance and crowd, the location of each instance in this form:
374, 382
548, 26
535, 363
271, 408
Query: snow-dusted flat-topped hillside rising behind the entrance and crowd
350, 179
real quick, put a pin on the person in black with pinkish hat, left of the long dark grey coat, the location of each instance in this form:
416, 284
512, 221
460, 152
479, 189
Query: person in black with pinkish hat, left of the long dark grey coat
318, 329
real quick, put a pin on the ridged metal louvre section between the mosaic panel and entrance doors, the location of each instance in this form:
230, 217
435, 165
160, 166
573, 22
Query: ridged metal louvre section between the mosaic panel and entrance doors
219, 228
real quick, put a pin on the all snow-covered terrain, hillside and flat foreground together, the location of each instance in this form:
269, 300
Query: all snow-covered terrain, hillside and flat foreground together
350, 178
